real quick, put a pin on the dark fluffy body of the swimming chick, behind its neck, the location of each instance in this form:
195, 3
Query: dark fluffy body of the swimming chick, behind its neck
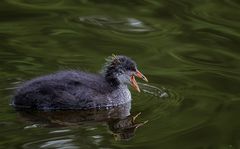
63, 90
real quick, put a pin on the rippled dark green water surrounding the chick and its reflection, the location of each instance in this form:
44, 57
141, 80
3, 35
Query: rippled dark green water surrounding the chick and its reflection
190, 47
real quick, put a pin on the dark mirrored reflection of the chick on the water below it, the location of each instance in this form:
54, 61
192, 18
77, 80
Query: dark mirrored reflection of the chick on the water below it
119, 120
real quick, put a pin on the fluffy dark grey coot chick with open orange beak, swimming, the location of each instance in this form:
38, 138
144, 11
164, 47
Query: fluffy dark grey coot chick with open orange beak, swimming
81, 90
